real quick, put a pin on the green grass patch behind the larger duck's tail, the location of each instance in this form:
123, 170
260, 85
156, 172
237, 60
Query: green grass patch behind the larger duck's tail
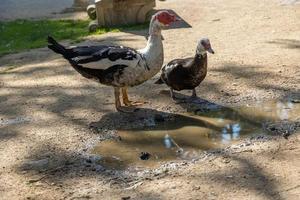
20, 35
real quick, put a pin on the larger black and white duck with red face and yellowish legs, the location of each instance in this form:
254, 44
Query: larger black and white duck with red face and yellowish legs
119, 66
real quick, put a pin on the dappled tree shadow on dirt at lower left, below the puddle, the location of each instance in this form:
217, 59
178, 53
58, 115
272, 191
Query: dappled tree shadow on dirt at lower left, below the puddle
62, 164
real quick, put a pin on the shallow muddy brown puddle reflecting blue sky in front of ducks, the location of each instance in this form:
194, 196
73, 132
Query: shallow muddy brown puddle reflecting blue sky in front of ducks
187, 135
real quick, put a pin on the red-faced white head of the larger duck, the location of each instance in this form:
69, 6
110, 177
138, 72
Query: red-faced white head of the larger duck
161, 20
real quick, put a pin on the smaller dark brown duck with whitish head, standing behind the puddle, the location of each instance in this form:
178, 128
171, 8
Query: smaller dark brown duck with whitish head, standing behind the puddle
187, 73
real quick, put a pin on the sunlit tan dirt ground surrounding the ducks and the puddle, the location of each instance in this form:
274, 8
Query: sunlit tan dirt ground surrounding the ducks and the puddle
47, 110
